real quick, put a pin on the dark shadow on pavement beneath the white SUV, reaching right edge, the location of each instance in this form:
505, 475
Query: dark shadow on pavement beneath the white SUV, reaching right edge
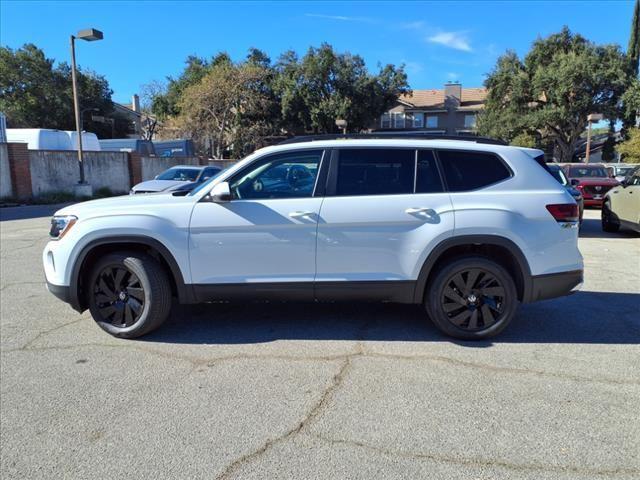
585, 317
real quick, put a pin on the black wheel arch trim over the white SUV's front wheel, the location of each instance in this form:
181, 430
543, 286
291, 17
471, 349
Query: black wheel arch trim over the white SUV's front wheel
139, 243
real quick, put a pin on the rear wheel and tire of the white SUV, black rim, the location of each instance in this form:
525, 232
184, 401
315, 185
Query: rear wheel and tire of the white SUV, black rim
471, 298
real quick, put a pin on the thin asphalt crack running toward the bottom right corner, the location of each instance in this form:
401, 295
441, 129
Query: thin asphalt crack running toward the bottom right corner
476, 461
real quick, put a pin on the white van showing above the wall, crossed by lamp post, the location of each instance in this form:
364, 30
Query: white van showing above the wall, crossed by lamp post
50, 139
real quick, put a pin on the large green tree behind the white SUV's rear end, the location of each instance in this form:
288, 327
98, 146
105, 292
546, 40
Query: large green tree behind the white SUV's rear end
562, 79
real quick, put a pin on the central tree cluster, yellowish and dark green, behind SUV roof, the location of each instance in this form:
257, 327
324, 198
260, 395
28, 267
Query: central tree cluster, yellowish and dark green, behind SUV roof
239, 105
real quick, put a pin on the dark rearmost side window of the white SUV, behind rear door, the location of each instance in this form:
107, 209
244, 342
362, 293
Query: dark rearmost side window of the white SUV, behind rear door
464, 171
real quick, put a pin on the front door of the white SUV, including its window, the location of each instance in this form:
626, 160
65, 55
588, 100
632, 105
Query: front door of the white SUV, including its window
267, 232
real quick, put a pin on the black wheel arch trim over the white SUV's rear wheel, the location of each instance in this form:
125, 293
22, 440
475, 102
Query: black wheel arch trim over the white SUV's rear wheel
500, 249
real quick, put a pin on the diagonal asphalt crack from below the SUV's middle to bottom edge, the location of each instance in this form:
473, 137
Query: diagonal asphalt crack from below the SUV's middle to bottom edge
313, 413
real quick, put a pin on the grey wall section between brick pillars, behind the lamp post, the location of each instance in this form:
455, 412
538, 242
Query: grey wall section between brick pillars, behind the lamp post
56, 171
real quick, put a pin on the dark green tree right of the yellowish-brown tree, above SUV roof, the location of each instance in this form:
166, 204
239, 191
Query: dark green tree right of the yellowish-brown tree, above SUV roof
325, 86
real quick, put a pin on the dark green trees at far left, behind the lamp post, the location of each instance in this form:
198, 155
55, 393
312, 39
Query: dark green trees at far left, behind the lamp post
34, 93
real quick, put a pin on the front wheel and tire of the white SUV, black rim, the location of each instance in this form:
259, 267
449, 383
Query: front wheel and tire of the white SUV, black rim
129, 294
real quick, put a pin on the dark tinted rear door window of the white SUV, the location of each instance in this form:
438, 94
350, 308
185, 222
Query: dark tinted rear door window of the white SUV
375, 171
